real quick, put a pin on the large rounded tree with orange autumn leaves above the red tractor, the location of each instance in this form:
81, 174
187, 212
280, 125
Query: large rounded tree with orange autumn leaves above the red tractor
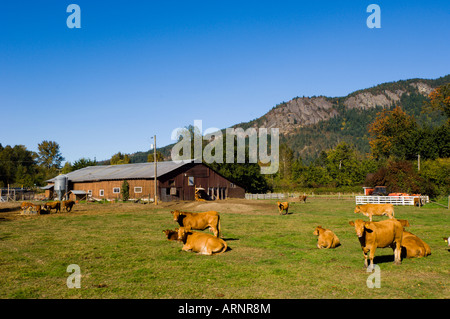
392, 133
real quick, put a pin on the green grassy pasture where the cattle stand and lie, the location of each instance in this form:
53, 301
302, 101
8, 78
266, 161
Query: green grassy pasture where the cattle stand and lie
123, 253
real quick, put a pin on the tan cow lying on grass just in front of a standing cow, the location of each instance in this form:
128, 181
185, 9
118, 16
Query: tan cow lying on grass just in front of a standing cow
204, 244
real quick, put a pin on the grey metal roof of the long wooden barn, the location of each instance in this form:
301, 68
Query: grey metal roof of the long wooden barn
125, 171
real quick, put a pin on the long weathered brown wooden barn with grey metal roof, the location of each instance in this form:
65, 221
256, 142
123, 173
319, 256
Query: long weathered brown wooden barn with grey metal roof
176, 181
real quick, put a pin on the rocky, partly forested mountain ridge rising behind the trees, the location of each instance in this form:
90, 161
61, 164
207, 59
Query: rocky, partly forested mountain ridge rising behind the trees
310, 125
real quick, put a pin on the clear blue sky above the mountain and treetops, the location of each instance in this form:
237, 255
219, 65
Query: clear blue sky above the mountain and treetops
140, 68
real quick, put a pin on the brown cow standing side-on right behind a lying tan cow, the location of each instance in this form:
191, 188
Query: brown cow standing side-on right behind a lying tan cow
199, 221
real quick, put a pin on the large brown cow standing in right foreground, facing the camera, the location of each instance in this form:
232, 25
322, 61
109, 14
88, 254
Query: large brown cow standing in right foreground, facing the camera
373, 235
